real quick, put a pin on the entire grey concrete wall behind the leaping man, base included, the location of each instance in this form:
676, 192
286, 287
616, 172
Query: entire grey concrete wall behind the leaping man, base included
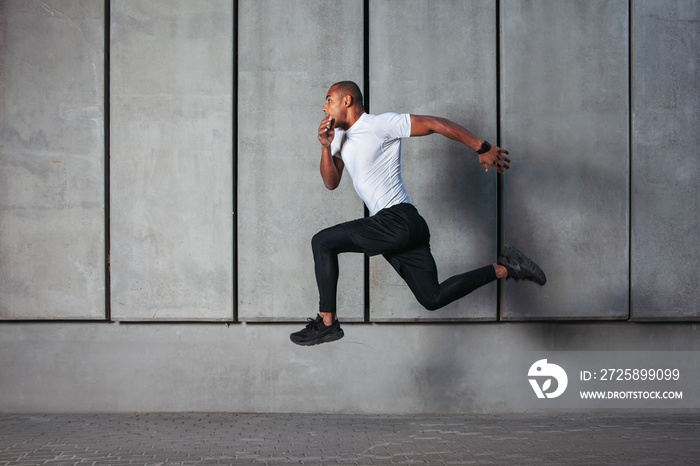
209, 148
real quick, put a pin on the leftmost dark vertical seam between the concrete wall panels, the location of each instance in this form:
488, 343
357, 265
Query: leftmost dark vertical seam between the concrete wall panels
106, 122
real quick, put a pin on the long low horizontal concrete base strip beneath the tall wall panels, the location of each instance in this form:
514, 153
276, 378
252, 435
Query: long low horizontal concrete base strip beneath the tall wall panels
394, 369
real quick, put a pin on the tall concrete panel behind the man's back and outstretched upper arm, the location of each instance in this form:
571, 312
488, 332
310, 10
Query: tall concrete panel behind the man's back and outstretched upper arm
439, 58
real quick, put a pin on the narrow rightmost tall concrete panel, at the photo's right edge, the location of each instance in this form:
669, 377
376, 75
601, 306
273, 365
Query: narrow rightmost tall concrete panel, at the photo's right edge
665, 164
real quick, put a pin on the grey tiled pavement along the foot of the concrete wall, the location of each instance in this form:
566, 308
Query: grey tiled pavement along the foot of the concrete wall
183, 439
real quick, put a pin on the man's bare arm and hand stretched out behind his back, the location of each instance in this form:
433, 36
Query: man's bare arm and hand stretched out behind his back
422, 125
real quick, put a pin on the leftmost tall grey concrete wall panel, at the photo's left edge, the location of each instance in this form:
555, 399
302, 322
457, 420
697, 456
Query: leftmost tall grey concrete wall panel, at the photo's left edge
52, 216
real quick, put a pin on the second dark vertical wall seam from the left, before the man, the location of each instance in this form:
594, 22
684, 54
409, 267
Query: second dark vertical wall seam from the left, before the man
234, 158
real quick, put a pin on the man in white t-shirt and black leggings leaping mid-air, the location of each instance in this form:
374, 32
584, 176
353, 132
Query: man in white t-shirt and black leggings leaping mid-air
369, 146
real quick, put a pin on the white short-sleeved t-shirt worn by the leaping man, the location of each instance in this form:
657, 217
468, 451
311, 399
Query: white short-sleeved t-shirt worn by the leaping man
371, 152
